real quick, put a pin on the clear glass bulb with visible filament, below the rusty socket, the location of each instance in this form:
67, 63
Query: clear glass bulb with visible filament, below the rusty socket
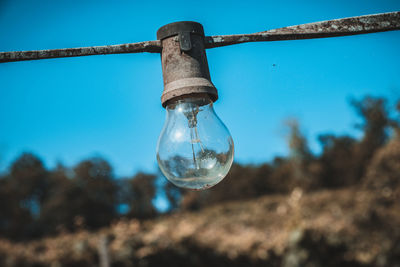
195, 149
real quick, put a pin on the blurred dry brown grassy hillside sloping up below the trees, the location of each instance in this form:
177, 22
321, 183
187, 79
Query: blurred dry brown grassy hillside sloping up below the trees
352, 226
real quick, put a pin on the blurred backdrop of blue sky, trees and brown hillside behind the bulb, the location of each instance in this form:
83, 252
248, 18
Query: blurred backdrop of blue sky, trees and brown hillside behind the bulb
316, 126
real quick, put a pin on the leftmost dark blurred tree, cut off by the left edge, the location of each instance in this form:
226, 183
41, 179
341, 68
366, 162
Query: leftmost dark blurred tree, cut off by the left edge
23, 192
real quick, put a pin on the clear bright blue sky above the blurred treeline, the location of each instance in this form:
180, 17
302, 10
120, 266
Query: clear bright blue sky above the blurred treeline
65, 110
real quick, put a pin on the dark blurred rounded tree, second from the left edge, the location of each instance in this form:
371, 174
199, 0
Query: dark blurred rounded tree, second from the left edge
84, 197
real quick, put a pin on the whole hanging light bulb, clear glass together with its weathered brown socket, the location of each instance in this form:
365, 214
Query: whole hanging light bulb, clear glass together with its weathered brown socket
195, 149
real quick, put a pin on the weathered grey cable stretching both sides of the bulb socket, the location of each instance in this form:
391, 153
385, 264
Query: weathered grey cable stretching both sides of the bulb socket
330, 28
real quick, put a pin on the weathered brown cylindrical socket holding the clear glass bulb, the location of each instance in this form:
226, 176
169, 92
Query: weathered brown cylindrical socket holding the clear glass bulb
184, 62
